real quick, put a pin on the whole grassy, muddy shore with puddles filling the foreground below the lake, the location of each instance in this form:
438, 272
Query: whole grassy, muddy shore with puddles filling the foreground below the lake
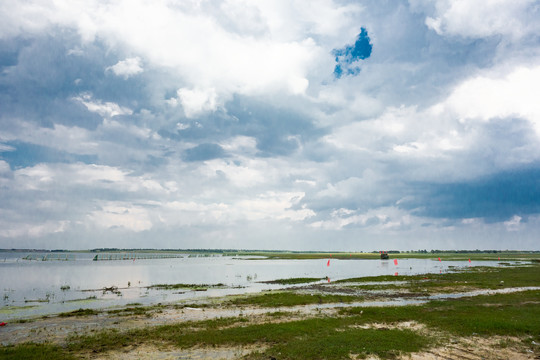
474, 312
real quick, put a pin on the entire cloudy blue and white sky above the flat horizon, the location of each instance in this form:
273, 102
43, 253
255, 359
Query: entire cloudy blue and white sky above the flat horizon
284, 124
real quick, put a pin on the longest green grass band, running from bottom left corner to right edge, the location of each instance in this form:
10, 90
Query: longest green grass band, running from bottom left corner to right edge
514, 314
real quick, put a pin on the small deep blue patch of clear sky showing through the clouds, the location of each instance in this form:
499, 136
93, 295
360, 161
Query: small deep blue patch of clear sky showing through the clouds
348, 56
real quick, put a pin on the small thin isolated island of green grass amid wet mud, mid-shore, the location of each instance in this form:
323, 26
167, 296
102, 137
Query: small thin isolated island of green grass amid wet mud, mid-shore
278, 299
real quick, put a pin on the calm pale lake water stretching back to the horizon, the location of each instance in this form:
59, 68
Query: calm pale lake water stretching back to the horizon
31, 287
